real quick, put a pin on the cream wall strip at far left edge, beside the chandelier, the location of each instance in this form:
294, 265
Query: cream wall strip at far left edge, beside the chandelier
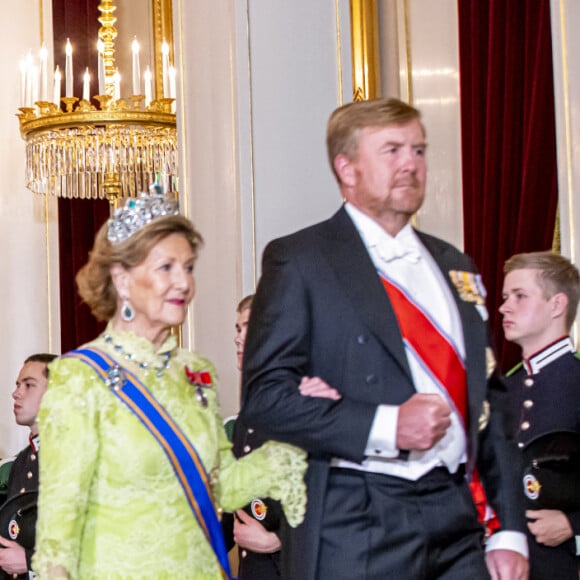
29, 262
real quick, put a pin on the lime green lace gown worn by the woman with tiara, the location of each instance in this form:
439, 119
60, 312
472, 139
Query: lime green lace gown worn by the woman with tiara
110, 506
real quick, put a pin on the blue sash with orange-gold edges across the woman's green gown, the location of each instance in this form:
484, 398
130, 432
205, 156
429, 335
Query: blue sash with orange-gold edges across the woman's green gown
179, 450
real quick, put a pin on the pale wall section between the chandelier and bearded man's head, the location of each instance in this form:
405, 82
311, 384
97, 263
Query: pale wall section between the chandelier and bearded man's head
259, 82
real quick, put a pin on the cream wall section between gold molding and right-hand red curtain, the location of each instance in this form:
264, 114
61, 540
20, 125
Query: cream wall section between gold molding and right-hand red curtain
432, 49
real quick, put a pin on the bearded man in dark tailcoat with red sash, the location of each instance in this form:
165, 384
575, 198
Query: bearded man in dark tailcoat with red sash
394, 320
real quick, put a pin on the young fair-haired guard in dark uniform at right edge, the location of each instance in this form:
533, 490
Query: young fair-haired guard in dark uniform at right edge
540, 300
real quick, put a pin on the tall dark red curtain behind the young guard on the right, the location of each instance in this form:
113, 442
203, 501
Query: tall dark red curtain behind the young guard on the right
508, 129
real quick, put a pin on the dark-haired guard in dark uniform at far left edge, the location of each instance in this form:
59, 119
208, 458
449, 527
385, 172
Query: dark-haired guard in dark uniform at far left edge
18, 514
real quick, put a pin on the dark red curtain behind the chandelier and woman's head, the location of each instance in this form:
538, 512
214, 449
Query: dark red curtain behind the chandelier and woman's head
78, 219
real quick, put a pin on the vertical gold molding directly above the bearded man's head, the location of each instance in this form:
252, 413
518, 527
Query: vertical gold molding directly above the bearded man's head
365, 49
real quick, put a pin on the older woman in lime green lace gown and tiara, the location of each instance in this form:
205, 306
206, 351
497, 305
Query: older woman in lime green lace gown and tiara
132, 489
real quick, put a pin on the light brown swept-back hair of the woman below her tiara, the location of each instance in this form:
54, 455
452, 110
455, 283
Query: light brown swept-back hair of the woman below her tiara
94, 278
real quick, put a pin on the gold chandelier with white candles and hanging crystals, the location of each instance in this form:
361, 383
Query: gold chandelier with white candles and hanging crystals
116, 149
